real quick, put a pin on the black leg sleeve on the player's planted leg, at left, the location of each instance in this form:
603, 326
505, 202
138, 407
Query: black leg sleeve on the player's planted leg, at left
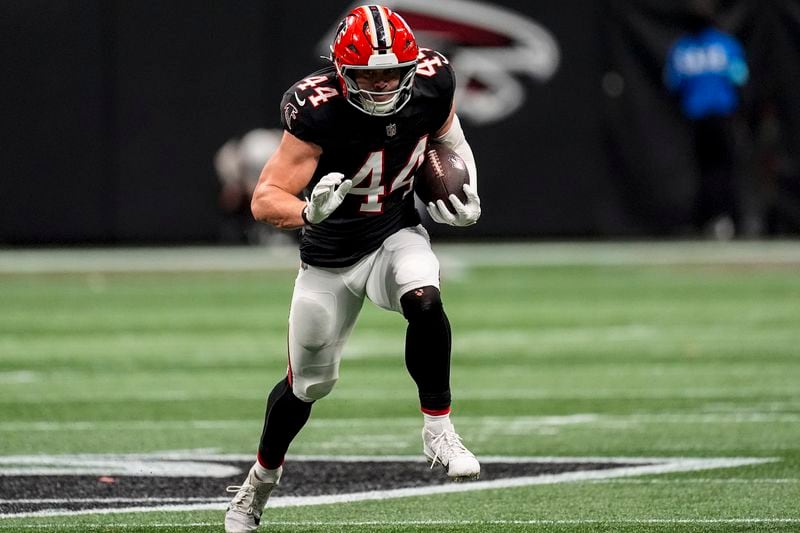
285, 417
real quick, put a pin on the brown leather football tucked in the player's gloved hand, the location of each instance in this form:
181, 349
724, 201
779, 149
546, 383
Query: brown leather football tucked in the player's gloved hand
441, 174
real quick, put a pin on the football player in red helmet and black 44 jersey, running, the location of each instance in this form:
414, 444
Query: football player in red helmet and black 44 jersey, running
355, 132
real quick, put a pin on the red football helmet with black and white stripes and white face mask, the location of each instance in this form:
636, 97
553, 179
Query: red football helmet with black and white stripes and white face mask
374, 42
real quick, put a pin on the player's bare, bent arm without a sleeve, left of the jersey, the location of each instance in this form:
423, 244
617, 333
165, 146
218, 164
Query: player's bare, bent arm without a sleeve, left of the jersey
290, 169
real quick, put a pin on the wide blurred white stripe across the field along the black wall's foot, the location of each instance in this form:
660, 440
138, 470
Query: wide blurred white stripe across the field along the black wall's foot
451, 256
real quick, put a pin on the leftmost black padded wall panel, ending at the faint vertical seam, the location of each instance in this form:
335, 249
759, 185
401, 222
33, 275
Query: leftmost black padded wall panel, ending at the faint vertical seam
55, 104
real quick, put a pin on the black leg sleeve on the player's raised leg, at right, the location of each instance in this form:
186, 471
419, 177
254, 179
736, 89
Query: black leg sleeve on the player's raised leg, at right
428, 346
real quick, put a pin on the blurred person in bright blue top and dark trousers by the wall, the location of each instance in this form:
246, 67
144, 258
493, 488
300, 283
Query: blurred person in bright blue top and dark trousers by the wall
705, 68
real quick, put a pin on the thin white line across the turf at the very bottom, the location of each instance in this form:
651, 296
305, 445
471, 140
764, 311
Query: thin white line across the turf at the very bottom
395, 523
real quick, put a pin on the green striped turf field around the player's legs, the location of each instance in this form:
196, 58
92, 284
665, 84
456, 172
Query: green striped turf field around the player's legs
629, 350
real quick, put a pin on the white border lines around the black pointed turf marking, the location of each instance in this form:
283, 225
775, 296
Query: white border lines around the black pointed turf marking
661, 466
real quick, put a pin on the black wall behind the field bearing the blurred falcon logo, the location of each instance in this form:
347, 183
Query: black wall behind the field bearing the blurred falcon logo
114, 111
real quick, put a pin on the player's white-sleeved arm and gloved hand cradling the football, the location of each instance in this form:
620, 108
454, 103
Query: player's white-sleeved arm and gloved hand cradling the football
452, 136
